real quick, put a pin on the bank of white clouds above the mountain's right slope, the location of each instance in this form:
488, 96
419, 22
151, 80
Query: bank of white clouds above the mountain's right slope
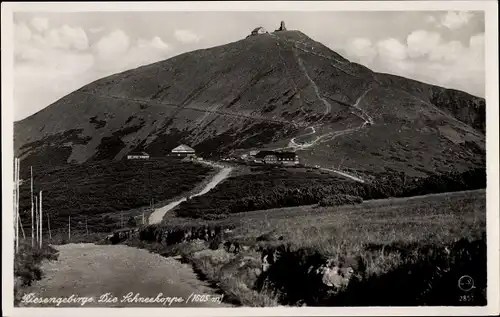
426, 57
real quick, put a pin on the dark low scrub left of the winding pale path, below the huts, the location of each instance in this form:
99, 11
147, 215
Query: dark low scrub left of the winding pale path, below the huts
95, 194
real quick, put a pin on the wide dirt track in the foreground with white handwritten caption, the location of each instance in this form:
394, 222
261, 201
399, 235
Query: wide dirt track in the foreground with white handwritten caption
89, 270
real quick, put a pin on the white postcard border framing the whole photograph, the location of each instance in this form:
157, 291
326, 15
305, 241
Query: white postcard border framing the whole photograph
492, 103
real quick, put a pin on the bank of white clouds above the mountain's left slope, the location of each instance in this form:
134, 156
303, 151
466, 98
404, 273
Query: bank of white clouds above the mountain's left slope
53, 65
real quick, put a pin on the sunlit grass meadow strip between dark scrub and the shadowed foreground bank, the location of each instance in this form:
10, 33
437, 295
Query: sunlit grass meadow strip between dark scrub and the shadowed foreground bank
439, 218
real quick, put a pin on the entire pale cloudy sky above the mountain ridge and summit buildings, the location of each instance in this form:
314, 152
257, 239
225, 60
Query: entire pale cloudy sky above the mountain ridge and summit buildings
56, 53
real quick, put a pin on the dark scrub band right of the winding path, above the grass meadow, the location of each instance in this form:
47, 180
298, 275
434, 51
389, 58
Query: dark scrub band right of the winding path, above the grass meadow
275, 188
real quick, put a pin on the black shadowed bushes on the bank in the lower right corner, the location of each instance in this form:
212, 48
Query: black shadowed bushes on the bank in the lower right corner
432, 272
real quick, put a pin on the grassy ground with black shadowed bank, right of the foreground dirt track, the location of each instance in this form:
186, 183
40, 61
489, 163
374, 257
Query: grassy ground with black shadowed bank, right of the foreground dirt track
404, 251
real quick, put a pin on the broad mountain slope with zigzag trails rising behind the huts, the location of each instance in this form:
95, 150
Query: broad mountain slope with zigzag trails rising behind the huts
269, 91
